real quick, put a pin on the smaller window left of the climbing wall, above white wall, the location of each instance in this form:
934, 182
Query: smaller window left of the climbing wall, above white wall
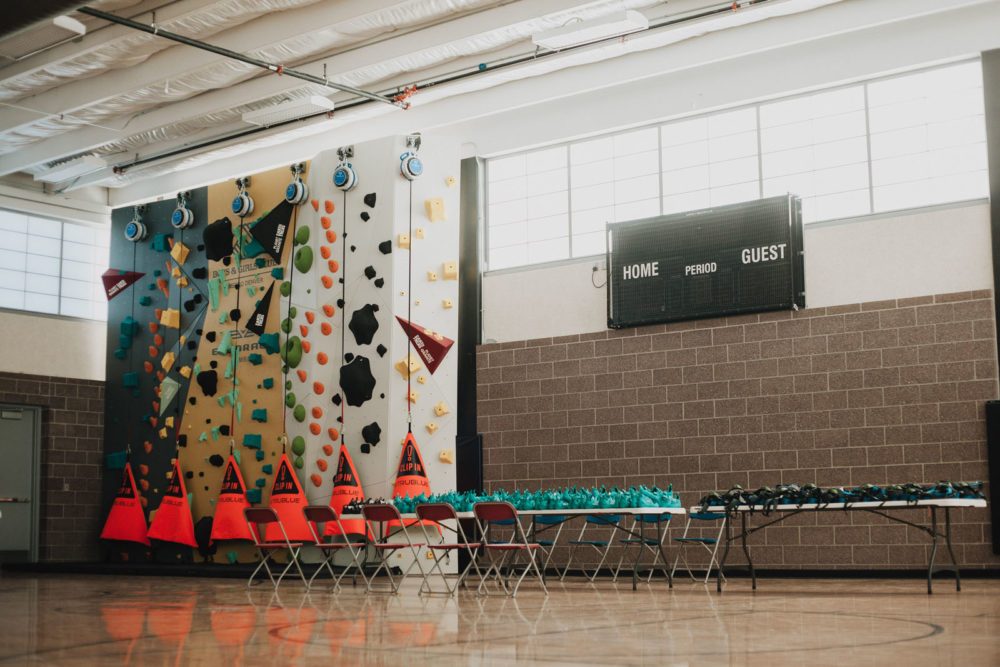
50, 266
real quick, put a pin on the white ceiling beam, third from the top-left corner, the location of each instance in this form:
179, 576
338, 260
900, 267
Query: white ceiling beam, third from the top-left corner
89, 138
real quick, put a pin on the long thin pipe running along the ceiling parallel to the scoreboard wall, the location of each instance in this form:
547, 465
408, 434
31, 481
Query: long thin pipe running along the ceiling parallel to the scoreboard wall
514, 60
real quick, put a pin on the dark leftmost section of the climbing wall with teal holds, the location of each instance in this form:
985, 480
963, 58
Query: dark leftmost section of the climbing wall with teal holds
130, 414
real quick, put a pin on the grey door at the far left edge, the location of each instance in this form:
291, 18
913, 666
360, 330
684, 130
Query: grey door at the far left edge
20, 453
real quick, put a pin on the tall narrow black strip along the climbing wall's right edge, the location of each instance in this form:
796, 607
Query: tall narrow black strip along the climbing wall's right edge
467, 445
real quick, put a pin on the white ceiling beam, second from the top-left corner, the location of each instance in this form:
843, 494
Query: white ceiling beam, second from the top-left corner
180, 60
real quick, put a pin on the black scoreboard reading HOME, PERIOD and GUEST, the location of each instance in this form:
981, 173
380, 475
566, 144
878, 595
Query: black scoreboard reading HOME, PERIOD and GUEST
745, 258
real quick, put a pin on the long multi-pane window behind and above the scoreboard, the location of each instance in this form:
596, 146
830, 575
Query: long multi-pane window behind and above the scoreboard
888, 144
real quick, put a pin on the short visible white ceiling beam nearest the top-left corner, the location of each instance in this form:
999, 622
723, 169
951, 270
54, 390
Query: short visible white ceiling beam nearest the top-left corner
99, 38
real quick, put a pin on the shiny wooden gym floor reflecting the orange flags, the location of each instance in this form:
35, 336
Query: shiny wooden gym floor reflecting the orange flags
93, 619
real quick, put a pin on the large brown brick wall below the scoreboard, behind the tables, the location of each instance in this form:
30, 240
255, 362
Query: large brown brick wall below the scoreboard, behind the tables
883, 392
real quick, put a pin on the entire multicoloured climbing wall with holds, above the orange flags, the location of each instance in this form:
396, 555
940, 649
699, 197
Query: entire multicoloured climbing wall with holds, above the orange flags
323, 359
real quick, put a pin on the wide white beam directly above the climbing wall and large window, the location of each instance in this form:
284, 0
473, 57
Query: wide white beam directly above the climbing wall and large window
792, 53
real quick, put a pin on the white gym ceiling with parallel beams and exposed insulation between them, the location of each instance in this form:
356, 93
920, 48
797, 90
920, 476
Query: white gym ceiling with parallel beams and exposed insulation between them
147, 106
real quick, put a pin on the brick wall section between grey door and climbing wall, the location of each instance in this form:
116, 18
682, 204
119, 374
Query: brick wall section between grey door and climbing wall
72, 461
